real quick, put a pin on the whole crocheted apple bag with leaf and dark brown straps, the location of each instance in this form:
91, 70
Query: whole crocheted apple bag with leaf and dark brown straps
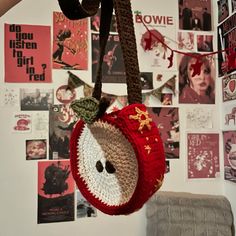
117, 159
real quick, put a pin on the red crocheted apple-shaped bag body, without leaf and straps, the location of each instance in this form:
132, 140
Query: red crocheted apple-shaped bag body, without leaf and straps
127, 139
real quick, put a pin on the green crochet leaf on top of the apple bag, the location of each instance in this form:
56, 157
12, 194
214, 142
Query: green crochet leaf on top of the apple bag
86, 109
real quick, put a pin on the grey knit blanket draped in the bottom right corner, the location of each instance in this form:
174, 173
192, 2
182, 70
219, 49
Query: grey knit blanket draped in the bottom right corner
186, 214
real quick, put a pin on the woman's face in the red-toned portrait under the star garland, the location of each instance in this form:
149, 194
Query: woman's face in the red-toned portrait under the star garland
200, 82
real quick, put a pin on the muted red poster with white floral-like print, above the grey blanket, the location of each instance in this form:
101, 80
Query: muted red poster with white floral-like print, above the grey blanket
203, 155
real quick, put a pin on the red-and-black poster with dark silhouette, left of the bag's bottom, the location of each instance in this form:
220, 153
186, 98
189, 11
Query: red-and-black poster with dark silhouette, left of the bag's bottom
55, 192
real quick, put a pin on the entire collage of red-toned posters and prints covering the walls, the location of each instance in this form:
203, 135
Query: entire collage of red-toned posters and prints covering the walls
46, 113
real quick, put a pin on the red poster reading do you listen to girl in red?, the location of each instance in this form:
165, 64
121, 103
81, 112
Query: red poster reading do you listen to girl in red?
27, 53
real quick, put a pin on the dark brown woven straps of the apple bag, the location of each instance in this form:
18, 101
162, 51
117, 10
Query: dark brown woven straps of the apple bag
74, 10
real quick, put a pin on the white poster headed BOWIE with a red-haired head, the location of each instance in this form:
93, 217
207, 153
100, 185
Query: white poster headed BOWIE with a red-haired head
155, 31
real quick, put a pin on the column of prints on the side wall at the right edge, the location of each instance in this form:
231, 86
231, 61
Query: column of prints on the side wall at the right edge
226, 30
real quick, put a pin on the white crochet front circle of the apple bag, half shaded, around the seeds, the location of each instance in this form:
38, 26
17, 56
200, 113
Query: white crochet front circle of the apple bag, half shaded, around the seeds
103, 142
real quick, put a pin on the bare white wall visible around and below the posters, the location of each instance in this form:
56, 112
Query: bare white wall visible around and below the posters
18, 177
